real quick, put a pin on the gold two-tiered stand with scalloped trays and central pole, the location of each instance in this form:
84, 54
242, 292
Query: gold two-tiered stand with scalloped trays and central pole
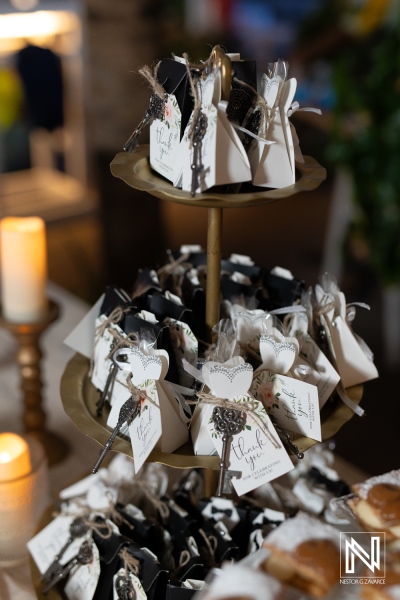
79, 395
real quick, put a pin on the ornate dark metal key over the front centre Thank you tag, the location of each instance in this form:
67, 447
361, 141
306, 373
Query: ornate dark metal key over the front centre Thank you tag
228, 422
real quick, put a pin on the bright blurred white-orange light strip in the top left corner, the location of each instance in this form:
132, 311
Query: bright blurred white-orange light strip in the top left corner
36, 24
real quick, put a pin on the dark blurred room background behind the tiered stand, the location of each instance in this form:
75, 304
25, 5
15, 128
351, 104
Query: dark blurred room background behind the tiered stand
70, 96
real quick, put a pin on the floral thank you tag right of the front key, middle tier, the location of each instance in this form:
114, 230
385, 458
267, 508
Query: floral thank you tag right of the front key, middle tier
294, 404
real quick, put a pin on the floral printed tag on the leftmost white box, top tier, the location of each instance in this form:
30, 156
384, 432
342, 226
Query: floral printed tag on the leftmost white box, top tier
165, 139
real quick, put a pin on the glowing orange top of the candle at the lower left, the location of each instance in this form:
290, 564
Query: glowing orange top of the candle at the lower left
15, 461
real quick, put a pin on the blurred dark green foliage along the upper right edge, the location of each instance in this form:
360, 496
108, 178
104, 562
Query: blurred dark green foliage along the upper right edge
366, 139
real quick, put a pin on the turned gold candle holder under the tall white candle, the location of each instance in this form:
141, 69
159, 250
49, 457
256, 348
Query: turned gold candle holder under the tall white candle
29, 356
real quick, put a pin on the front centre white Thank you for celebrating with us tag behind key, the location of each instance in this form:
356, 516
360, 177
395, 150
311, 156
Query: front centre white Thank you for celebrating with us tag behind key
256, 451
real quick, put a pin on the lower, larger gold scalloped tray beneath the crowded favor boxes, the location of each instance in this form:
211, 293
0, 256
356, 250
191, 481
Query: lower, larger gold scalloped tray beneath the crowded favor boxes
79, 399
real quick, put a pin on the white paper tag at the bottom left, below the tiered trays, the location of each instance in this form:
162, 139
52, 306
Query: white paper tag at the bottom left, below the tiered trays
49, 541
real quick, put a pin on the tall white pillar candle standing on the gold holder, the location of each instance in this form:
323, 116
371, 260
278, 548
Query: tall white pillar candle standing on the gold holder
23, 269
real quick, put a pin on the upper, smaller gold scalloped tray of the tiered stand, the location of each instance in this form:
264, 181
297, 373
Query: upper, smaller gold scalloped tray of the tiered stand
134, 169
